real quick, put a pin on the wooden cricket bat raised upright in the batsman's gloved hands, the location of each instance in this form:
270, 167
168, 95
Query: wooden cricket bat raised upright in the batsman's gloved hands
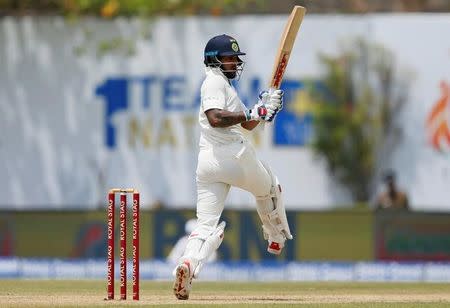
286, 45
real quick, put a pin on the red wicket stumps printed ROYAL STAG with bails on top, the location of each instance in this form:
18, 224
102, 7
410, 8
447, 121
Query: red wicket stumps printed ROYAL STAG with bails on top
123, 242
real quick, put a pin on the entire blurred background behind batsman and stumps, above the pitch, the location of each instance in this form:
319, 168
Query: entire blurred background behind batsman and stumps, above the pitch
105, 93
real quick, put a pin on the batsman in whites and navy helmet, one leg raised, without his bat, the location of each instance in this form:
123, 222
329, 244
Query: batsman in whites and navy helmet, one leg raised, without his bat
226, 158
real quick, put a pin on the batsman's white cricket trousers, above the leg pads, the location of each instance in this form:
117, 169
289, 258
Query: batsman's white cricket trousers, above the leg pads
219, 168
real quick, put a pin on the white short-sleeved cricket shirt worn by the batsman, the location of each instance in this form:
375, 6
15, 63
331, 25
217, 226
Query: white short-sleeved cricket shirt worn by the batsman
217, 93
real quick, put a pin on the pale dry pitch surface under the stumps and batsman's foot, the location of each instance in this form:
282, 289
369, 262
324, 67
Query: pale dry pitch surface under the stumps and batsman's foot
89, 293
